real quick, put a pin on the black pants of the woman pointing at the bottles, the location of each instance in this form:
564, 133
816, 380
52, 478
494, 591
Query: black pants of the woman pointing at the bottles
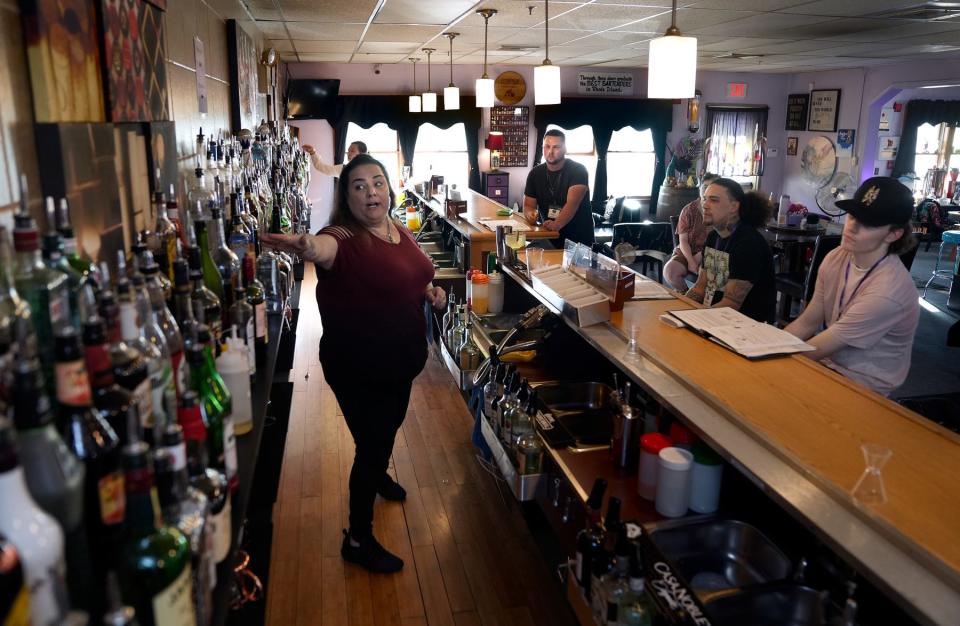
374, 413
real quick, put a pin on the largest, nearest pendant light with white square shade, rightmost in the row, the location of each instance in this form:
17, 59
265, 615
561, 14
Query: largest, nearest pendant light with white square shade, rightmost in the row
672, 67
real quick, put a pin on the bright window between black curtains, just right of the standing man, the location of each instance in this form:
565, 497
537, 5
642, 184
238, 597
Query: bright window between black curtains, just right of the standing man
630, 163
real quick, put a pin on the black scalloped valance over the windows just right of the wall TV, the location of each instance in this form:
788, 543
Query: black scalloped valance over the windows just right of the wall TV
365, 111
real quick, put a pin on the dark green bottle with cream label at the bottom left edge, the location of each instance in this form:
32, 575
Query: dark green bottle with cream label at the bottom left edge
154, 559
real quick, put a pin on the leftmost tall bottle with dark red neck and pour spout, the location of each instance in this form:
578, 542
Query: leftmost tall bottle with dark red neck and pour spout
45, 290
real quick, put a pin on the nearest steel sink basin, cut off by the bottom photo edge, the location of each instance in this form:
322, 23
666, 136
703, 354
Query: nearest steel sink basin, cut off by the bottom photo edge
778, 605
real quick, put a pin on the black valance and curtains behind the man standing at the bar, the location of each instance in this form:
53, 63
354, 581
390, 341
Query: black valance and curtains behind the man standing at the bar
606, 115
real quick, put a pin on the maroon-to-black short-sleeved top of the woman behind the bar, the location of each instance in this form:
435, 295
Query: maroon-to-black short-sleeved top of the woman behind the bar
371, 303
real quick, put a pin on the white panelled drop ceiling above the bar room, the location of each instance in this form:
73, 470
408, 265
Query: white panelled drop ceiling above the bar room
735, 35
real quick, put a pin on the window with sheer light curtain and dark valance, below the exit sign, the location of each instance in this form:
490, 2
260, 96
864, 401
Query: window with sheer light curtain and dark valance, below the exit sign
735, 136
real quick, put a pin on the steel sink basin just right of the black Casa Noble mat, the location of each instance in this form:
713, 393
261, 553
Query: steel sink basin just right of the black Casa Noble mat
720, 554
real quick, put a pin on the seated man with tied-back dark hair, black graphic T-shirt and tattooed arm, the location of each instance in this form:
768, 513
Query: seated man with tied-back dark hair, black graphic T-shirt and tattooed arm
737, 267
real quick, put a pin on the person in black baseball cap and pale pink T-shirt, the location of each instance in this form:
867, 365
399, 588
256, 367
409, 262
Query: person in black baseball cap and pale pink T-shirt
864, 295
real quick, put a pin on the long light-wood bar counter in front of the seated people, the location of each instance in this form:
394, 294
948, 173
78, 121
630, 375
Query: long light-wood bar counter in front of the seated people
794, 428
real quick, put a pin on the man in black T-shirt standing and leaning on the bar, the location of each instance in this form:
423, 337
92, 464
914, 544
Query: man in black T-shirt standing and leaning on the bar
558, 192
